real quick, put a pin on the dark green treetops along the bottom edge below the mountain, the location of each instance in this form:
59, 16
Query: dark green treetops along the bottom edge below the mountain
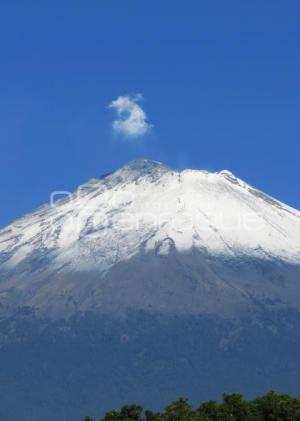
270, 407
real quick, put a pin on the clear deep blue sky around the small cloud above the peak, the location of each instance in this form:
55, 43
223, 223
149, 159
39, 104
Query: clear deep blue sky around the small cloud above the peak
220, 81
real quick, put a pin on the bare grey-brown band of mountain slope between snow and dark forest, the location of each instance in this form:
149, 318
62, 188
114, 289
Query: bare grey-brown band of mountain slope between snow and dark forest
174, 283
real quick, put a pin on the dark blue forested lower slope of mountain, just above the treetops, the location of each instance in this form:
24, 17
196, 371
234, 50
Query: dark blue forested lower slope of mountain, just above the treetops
92, 363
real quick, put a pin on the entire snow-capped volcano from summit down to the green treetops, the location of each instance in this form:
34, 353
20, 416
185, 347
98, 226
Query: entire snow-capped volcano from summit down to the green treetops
144, 285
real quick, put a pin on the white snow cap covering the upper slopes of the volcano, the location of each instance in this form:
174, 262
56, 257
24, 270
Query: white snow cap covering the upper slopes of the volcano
142, 208
